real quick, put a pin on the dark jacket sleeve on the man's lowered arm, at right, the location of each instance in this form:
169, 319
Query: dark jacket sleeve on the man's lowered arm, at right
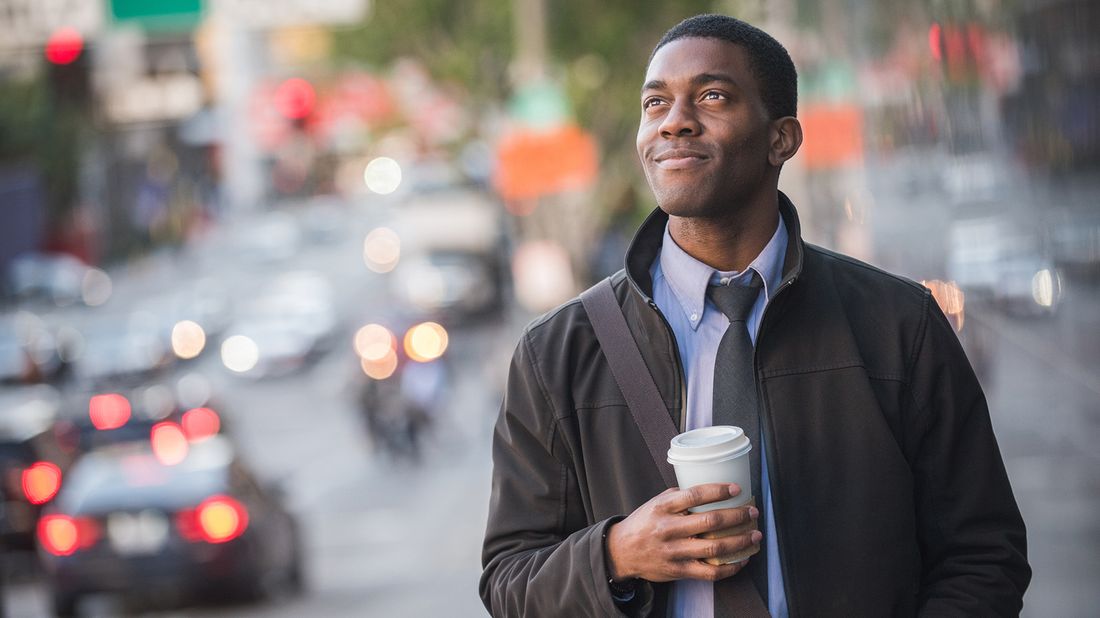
973, 542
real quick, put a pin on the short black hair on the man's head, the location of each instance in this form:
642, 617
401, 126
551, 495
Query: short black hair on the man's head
769, 62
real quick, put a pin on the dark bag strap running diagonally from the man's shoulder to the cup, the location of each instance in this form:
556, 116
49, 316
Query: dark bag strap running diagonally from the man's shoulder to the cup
632, 376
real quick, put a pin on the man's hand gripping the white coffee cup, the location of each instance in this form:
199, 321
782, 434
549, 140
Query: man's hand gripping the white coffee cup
658, 542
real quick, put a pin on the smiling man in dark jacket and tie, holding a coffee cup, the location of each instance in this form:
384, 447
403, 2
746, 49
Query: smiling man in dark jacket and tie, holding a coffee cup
883, 488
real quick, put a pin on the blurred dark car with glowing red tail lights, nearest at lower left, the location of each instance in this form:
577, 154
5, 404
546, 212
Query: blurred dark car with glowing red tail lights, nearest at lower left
127, 523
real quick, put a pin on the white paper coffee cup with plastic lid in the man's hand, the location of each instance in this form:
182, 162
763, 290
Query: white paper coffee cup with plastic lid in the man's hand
713, 455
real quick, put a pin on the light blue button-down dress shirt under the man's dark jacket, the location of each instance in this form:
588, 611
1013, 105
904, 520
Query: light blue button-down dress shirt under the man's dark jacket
680, 286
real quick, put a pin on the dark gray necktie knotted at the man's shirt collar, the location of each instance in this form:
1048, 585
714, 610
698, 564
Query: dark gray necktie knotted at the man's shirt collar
735, 393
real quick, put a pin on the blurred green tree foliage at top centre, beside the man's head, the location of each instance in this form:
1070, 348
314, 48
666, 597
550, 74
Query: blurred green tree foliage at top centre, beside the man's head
598, 52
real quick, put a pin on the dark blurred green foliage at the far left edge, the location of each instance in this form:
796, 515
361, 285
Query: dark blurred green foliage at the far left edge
47, 137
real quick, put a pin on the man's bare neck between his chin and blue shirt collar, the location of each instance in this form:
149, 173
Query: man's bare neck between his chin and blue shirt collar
728, 244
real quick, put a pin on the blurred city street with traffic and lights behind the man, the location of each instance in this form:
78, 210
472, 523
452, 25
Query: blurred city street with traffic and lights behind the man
263, 266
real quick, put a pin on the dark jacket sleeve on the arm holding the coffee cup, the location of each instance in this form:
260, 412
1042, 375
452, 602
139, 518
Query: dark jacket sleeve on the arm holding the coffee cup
533, 565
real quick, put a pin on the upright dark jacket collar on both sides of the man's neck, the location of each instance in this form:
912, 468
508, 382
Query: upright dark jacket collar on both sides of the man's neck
647, 246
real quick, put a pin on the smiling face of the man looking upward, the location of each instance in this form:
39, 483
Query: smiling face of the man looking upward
705, 135
